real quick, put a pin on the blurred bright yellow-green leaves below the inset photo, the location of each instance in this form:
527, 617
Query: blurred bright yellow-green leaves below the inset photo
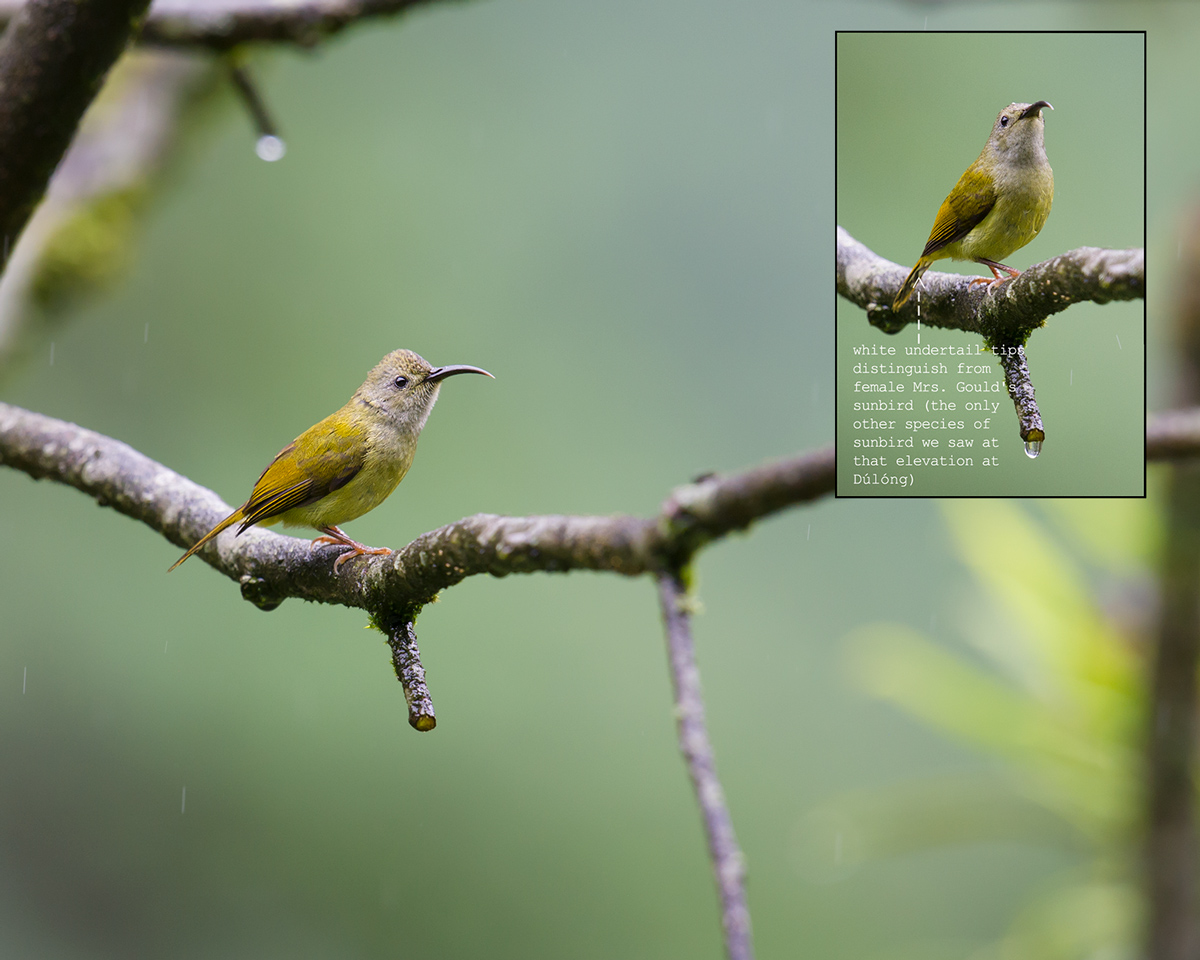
1059, 700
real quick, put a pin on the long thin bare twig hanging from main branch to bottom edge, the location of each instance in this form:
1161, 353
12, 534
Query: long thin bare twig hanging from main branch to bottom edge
723, 845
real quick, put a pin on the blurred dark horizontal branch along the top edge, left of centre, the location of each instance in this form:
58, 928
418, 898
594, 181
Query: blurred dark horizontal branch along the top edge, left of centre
221, 25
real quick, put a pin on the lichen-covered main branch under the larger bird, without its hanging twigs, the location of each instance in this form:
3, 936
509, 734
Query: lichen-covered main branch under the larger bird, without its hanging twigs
273, 568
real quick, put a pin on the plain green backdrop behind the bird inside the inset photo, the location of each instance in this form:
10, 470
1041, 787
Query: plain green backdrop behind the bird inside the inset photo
914, 112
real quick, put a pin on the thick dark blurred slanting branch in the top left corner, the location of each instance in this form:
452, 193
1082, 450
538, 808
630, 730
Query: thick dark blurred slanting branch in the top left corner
53, 58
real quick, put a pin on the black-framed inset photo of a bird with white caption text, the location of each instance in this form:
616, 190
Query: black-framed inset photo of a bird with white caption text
991, 194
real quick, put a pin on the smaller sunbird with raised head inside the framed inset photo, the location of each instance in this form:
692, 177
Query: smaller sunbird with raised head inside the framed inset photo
1000, 203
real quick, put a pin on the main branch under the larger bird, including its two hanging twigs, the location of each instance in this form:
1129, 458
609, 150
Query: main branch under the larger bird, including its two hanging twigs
272, 568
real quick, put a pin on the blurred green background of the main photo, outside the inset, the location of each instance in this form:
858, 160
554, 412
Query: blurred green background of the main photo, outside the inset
626, 213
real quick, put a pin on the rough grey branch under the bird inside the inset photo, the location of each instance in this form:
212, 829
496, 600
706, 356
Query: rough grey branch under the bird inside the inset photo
1004, 314
